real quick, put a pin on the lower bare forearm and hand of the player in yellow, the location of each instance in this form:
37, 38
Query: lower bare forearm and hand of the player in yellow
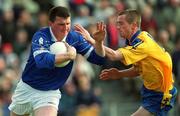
114, 74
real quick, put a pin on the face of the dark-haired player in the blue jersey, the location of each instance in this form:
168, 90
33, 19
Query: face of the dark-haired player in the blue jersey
61, 26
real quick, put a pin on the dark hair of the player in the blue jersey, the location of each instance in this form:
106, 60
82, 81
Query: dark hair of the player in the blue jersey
58, 11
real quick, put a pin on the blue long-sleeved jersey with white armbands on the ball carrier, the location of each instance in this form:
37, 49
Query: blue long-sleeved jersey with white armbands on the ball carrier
40, 71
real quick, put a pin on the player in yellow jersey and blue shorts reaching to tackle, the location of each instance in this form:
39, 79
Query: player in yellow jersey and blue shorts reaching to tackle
149, 61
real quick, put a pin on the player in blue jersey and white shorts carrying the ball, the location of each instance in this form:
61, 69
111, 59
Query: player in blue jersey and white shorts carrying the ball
38, 90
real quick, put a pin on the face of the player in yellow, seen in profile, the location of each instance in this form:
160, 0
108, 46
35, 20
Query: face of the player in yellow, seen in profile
124, 28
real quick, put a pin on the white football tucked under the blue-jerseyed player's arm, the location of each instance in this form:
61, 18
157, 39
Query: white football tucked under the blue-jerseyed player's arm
59, 48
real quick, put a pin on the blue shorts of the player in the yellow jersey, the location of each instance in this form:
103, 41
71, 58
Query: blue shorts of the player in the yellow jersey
152, 101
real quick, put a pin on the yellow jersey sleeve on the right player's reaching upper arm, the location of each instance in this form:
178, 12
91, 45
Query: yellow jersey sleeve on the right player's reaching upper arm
133, 54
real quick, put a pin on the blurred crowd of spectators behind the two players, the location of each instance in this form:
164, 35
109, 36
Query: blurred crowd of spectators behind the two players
84, 94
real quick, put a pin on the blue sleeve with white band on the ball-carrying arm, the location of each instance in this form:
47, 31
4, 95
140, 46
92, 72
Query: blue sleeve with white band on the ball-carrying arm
41, 53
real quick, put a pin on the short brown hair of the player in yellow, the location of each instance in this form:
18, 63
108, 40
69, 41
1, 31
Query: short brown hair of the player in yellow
132, 16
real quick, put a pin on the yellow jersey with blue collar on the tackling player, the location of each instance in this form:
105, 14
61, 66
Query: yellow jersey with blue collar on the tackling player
152, 61
